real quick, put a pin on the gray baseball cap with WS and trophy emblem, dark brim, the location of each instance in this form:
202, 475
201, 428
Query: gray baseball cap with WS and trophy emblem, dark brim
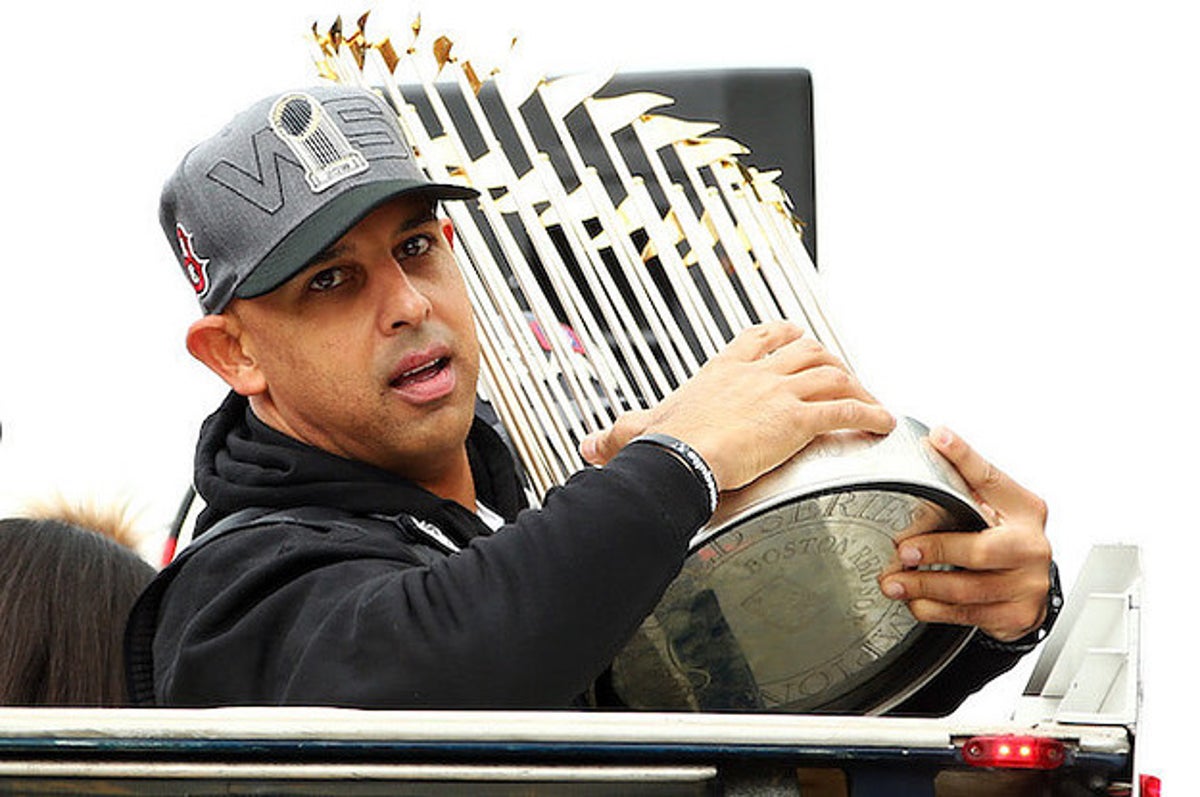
253, 206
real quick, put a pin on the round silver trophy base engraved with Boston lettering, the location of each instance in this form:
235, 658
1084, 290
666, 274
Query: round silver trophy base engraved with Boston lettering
778, 606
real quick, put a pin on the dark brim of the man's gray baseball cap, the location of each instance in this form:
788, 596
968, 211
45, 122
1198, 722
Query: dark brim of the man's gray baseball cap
320, 231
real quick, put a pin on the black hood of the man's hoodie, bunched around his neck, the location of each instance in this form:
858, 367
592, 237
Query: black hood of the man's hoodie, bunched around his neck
242, 463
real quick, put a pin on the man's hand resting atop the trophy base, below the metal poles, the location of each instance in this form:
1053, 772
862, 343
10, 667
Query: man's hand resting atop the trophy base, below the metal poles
763, 399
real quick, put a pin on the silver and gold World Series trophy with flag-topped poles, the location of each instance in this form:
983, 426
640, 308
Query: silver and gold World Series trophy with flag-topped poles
611, 253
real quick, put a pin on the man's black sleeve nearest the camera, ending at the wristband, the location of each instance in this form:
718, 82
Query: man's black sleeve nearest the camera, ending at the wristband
527, 618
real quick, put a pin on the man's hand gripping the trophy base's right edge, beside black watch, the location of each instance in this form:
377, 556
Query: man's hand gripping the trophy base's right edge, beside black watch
1005, 573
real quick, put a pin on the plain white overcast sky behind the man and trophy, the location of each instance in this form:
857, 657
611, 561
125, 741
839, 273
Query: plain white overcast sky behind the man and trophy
1006, 201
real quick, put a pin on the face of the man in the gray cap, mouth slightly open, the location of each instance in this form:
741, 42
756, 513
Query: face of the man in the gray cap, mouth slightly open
370, 352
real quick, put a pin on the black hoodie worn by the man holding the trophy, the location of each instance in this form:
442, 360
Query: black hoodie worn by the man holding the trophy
369, 612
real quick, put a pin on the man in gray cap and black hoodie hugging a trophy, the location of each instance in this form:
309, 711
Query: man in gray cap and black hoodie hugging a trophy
364, 542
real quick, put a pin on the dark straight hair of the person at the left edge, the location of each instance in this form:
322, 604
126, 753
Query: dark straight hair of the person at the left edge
65, 594
